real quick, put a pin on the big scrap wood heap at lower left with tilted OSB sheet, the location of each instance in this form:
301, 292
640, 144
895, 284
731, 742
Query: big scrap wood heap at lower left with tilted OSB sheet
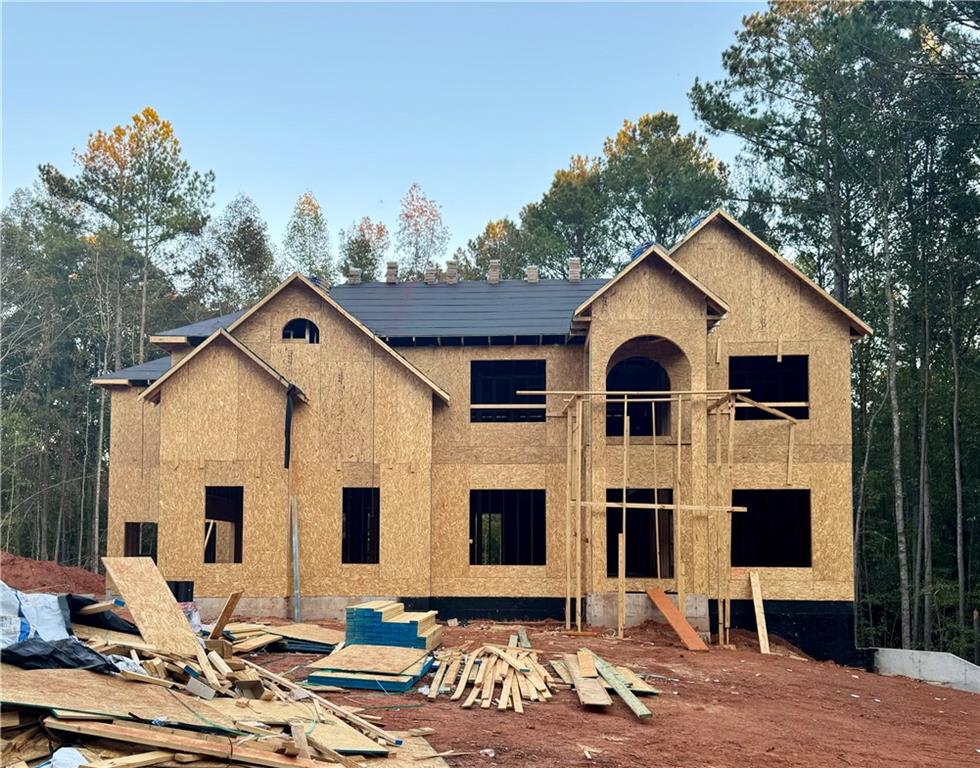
172, 700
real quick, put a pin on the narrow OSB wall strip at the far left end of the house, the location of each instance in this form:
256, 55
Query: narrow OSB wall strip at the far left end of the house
134, 478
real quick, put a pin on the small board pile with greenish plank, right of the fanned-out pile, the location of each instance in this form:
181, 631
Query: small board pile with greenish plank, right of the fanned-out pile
592, 678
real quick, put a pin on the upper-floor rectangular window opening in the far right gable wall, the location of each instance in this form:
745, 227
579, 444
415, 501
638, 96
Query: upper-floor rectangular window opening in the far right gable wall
781, 384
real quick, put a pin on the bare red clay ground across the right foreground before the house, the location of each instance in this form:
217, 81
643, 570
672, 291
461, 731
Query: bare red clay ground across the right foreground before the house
721, 708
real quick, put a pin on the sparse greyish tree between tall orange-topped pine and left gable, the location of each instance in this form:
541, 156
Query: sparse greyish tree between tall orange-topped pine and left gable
234, 265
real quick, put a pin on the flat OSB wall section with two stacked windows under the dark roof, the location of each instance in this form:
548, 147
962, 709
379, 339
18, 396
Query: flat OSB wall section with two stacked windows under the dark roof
495, 455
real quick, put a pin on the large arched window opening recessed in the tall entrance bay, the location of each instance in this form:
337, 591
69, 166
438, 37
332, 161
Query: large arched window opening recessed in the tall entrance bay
637, 374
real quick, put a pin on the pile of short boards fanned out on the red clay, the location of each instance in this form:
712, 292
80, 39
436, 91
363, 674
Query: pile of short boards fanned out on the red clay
507, 677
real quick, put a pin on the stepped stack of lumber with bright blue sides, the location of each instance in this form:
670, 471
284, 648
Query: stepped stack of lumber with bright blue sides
384, 622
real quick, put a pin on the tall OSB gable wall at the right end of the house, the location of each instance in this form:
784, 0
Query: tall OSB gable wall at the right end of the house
772, 311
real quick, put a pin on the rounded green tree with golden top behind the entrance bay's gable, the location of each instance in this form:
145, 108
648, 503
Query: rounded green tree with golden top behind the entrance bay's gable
656, 181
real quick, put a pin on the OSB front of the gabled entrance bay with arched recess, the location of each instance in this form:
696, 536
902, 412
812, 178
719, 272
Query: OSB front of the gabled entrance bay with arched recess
649, 301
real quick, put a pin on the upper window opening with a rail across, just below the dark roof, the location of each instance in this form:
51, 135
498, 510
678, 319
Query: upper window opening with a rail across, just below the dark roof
495, 383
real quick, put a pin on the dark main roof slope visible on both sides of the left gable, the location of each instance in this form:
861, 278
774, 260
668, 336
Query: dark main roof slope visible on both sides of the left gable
468, 308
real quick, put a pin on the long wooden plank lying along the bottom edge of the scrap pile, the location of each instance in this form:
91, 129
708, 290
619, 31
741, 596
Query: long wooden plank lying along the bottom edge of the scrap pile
226, 748
